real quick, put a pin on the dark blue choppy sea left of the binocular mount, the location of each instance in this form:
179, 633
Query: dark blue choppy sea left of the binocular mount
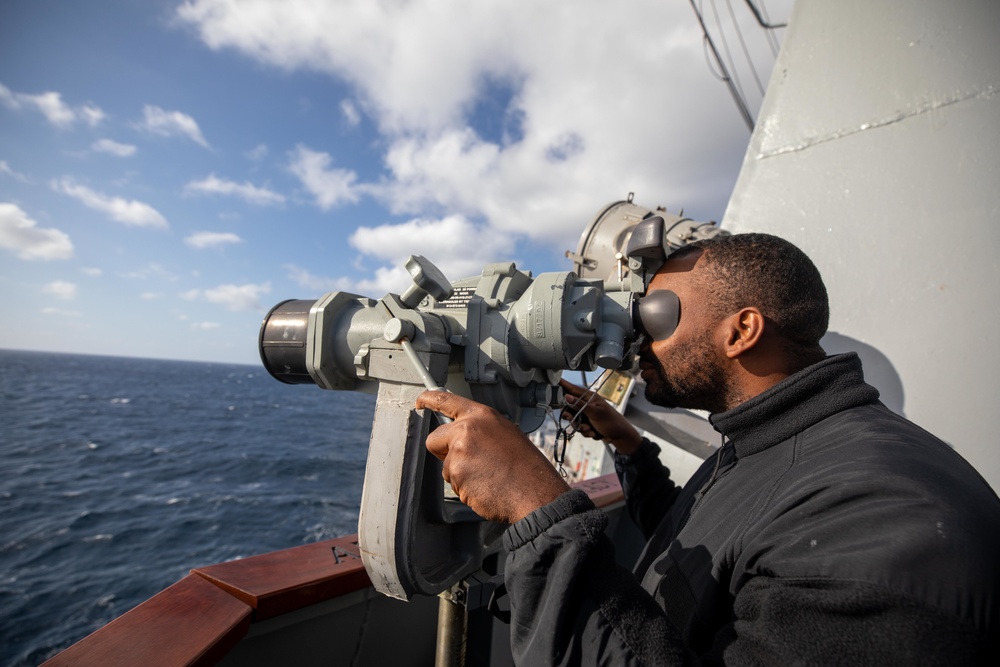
117, 476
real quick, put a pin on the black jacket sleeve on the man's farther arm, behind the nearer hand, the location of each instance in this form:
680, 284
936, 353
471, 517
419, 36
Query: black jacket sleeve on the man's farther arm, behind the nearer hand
649, 491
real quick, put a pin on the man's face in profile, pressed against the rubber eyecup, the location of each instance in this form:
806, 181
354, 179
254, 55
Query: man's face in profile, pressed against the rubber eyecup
684, 370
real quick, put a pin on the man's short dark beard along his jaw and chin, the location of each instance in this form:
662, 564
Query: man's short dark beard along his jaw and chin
695, 379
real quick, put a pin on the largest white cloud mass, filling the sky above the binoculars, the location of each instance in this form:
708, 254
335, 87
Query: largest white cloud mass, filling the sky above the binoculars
594, 100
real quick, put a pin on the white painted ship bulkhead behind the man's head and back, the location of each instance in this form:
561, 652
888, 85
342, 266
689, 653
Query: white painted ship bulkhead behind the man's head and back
877, 151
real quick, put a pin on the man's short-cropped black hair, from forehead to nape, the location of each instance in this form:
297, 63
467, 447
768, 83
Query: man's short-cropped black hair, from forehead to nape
773, 275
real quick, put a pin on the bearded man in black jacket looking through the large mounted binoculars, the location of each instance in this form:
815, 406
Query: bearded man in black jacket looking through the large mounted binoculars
827, 530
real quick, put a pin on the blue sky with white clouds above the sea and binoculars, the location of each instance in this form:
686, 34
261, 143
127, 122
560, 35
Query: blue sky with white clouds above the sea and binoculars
171, 170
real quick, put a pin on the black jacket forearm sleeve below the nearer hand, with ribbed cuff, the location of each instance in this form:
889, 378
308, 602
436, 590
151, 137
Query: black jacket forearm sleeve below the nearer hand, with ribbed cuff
571, 604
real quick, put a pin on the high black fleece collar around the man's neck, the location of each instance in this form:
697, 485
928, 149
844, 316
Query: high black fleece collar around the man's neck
796, 403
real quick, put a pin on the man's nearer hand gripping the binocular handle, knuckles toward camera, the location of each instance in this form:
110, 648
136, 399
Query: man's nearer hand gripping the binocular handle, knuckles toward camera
489, 463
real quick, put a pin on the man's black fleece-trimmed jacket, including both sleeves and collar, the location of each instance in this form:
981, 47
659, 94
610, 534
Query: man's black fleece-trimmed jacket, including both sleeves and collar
828, 530
